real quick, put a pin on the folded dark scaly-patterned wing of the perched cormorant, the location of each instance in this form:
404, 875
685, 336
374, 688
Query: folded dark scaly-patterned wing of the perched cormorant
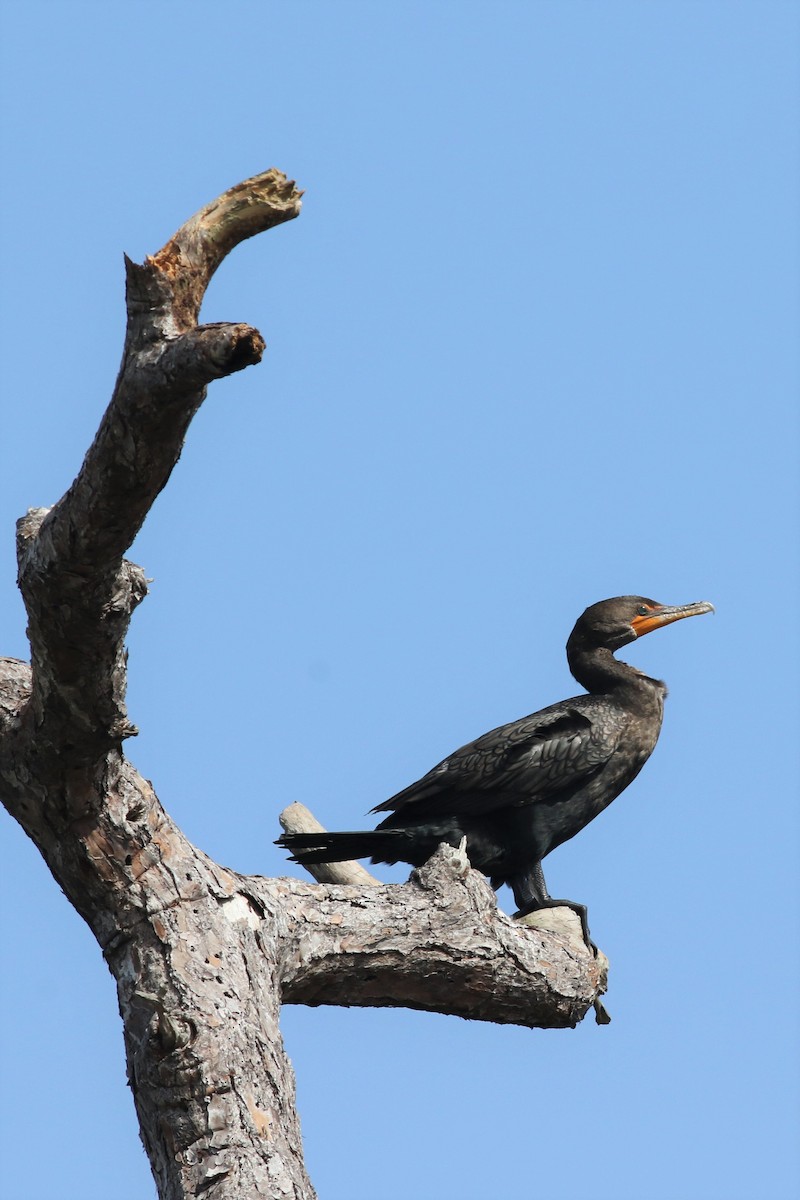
531, 761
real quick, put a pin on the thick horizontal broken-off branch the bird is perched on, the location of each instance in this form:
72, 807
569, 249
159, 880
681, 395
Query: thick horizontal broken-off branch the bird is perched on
436, 944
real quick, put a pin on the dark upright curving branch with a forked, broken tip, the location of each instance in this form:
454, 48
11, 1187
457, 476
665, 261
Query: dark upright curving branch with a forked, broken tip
79, 593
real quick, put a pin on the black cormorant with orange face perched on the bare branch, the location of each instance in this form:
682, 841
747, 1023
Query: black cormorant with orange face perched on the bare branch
520, 791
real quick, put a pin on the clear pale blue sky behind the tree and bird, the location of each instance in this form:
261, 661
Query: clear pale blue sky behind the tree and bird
533, 343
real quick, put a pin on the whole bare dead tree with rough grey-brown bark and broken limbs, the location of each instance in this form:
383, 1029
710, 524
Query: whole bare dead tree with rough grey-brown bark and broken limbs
203, 957
